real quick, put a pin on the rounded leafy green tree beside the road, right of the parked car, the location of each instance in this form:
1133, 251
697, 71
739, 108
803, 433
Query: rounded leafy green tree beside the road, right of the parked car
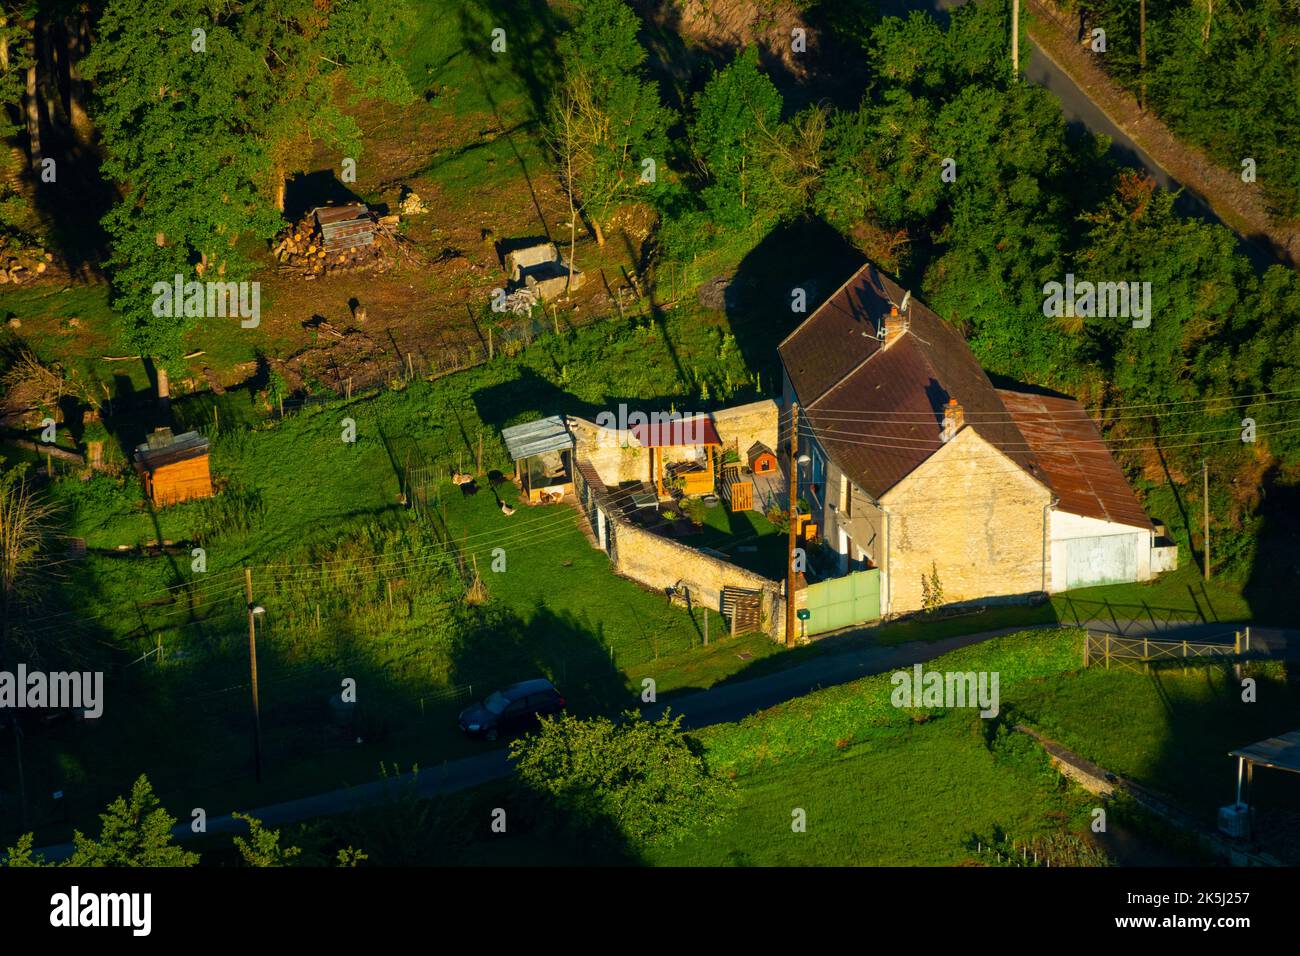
643, 780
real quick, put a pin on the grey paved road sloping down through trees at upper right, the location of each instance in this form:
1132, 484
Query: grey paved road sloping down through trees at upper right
1082, 114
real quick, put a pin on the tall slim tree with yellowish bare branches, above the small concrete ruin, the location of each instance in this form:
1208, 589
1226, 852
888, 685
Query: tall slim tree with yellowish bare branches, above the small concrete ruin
606, 114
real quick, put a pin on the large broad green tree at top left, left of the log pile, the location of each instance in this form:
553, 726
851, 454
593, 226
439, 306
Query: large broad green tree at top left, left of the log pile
200, 109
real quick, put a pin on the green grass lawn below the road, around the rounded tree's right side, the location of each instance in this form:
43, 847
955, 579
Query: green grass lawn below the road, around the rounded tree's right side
878, 785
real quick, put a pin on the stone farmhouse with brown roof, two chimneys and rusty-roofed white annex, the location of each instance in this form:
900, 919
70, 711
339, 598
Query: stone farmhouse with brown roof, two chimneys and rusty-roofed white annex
915, 465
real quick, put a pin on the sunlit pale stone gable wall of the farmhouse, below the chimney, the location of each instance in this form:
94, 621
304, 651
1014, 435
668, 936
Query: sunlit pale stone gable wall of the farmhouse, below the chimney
978, 517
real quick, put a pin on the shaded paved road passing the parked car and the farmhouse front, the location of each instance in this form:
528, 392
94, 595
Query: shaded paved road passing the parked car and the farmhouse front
721, 704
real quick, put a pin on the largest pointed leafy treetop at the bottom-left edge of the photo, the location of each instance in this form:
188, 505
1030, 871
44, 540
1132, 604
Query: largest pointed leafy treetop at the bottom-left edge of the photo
135, 833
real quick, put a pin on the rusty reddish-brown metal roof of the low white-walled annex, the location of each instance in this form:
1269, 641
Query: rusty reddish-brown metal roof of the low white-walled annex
1074, 460
